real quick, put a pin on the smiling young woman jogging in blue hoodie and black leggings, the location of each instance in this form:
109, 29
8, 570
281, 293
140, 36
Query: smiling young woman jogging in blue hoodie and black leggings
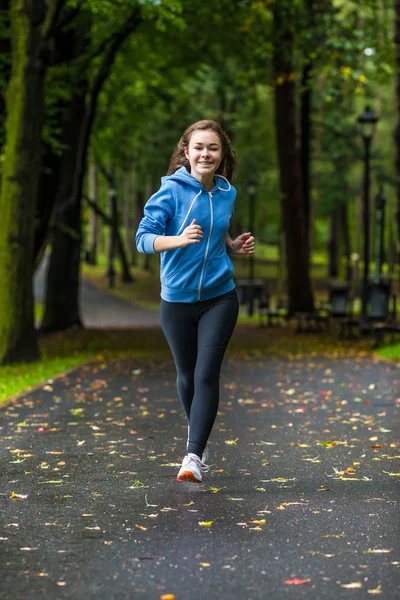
187, 222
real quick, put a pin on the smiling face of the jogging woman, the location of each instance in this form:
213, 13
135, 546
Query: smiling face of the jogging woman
204, 154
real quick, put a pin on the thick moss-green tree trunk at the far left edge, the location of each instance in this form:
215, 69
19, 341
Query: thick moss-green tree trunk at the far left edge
21, 167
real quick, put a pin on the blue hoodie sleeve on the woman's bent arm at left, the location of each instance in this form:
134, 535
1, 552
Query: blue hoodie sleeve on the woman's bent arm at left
157, 211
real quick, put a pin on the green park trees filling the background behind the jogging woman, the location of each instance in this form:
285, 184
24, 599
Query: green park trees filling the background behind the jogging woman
115, 85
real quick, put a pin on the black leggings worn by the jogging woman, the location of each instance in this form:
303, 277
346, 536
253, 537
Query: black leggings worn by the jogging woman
198, 334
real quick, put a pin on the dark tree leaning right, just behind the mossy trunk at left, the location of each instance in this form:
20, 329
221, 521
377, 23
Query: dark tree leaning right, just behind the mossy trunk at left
64, 266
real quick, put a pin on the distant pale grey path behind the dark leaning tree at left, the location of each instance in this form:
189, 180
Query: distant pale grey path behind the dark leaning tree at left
98, 308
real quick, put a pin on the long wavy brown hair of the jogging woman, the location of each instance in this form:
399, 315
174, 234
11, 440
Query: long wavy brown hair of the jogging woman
228, 162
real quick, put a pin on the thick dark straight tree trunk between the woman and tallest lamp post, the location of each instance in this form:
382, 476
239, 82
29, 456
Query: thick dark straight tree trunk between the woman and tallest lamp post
298, 277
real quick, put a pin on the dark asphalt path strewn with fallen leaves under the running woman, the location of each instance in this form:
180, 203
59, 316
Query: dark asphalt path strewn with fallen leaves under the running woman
301, 500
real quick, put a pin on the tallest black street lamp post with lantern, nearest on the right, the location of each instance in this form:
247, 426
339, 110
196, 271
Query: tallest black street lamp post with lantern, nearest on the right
366, 122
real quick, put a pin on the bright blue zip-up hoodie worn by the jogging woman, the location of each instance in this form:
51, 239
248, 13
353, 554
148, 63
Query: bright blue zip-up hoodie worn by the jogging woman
199, 271
